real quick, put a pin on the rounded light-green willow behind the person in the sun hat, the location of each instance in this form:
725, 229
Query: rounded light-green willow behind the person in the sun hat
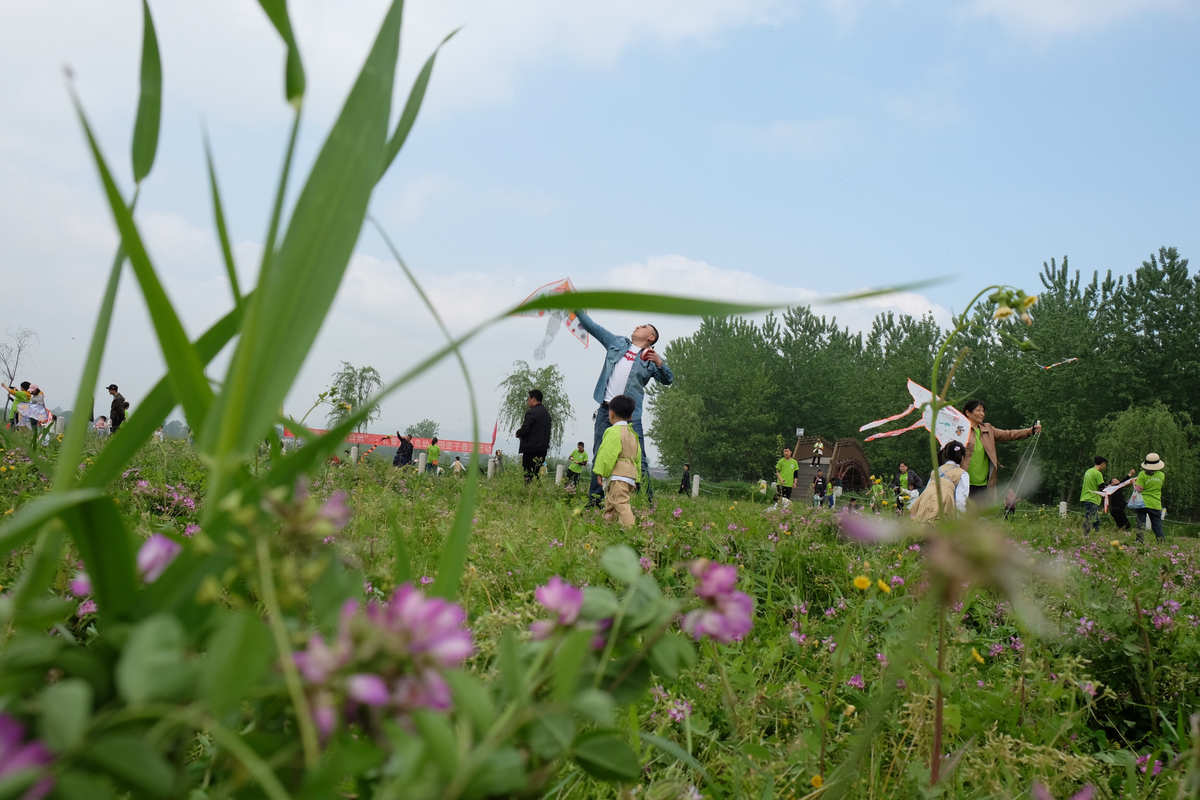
1126, 437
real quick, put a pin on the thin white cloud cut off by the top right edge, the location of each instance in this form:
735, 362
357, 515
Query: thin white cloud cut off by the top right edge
1057, 17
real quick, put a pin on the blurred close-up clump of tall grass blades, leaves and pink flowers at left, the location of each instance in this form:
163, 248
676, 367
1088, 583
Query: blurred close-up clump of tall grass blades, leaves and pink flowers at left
241, 635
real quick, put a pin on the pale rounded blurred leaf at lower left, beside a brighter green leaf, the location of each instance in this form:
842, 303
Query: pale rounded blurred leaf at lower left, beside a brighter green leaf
153, 665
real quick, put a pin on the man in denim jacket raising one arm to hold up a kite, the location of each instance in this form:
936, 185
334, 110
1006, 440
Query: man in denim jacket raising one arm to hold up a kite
629, 364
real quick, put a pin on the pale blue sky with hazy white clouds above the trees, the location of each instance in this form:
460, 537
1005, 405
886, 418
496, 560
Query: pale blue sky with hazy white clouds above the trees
729, 148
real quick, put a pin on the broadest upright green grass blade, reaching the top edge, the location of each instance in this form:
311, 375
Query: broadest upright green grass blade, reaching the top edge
298, 290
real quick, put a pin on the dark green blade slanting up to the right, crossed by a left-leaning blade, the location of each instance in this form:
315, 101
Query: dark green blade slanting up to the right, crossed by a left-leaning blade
154, 408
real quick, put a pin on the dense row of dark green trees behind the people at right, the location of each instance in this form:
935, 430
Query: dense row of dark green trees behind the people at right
743, 387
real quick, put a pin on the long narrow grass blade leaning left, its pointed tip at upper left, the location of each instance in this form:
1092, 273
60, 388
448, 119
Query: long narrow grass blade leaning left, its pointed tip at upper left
183, 365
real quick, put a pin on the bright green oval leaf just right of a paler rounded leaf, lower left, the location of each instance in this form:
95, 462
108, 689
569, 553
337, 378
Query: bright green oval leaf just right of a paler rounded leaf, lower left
238, 658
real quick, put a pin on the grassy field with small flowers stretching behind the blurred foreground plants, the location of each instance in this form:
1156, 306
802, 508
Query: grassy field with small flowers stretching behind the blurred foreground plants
832, 673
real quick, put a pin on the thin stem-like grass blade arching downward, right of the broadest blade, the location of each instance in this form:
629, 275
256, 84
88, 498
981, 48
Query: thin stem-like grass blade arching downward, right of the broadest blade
454, 555
